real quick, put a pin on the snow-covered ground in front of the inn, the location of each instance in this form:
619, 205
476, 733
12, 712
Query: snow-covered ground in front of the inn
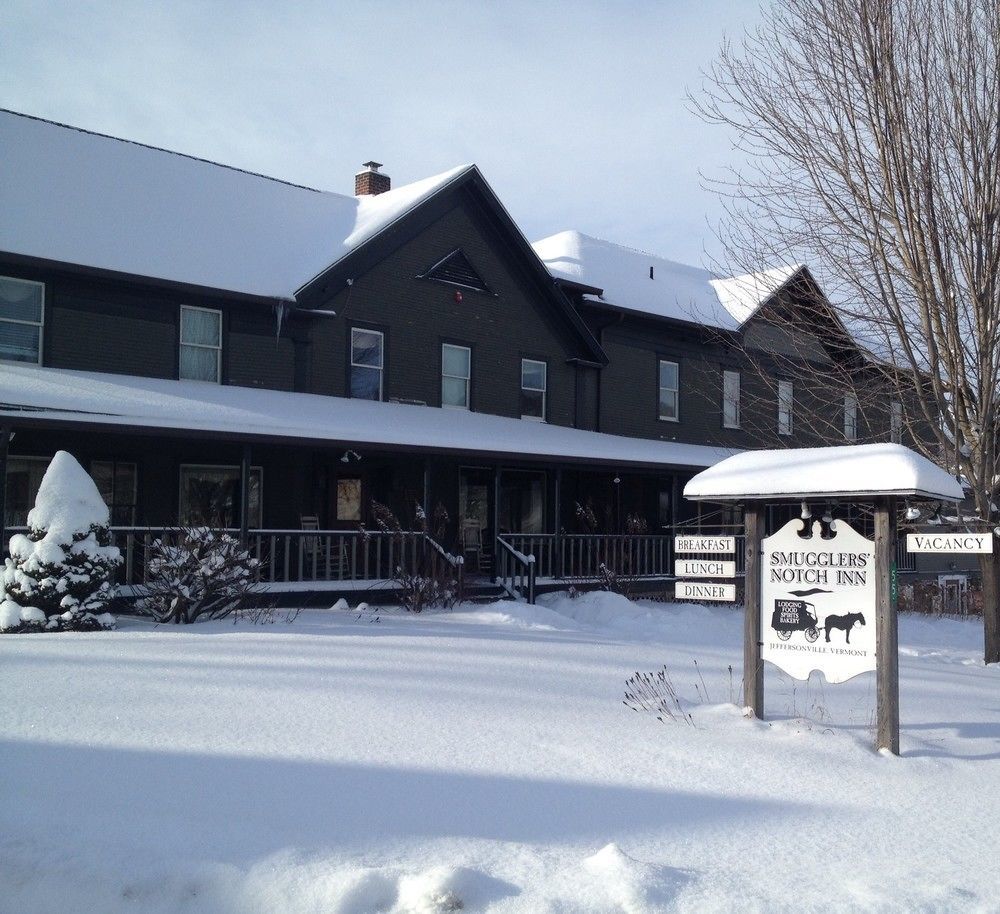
484, 757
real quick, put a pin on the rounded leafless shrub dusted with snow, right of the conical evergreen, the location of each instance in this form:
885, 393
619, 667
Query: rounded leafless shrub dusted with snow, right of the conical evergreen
194, 573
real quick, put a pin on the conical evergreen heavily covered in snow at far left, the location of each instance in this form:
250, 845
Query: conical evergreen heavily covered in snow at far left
58, 576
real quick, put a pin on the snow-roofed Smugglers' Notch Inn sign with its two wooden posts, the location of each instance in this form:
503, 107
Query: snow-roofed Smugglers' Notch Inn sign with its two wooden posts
818, 595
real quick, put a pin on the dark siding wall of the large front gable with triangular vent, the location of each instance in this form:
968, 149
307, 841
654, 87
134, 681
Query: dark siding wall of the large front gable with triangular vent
417, 315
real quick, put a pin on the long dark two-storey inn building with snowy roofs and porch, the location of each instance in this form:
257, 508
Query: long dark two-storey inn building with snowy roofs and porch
222, 348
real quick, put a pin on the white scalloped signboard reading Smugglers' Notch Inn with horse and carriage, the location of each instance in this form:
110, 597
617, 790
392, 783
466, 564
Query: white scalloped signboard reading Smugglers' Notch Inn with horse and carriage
818, 601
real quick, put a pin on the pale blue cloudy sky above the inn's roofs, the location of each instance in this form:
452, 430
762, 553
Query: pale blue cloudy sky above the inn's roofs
575, 112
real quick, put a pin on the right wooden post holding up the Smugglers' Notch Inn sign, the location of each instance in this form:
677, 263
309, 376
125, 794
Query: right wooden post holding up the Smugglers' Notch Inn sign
887, 631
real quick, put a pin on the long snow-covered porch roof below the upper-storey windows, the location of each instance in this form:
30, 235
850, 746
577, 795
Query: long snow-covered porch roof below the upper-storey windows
126, 401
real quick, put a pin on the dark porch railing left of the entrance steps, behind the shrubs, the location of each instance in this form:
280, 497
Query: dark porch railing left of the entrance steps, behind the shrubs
306, 556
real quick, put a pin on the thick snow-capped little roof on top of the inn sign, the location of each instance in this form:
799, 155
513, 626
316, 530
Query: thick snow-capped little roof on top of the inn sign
856, 471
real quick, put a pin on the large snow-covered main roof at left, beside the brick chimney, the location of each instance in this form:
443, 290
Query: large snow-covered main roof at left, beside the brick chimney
77, 197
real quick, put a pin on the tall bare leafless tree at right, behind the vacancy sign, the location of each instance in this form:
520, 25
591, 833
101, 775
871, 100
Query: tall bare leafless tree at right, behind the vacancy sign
871, 130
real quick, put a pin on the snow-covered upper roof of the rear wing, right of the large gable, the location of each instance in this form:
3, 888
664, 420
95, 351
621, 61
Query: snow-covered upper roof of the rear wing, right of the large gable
676, 290
